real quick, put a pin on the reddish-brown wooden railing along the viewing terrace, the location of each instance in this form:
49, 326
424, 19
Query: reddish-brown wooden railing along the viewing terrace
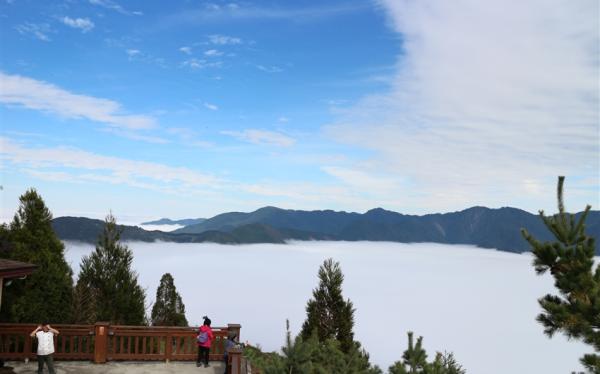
103, 342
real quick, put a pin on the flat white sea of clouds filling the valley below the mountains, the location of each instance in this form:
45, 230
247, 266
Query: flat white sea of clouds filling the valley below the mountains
480, 304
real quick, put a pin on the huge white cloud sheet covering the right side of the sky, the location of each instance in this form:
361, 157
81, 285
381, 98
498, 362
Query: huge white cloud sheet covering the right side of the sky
489, 103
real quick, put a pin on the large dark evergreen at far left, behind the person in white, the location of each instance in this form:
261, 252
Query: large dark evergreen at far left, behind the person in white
47, 293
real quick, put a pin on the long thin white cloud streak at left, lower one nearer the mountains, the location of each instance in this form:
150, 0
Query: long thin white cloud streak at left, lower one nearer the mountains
115, 170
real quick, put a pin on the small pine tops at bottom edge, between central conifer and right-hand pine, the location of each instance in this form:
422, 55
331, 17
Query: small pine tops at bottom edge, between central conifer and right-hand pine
414, 361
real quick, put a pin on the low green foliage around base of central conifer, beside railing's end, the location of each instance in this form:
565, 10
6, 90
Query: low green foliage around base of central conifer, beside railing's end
310, 356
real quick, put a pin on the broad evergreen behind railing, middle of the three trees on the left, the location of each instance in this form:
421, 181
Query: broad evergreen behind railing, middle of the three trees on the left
107, 275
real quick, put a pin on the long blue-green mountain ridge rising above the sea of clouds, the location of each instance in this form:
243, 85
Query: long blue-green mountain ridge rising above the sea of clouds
480, 226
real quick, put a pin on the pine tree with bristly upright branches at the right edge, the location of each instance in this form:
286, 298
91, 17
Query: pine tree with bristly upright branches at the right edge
570, 260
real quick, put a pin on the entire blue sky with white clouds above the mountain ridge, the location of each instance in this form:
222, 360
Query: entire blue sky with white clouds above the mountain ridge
188, 108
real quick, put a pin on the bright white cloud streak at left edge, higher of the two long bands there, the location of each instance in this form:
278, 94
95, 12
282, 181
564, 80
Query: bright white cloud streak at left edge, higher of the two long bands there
46, 97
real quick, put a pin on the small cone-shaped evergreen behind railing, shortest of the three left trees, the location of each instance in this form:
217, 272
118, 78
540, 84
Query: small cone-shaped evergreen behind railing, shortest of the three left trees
168, 309
